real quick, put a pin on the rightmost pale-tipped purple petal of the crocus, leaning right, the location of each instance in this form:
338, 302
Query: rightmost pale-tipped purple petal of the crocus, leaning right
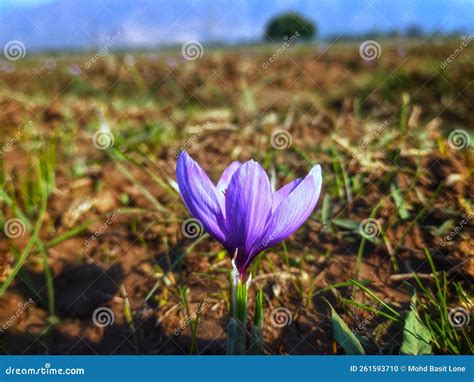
293, 210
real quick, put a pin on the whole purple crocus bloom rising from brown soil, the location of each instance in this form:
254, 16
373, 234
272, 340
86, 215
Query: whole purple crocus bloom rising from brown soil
241, 211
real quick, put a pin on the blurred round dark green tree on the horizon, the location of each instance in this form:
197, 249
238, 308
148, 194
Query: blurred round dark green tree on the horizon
287, 24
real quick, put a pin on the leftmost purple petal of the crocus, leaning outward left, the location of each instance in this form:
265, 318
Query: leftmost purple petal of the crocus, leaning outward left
199, 195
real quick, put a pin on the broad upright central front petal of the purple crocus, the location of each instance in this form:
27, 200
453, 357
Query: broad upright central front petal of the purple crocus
248, 204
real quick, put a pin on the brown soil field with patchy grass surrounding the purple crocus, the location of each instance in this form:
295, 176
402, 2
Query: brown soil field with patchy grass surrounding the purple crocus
88, 175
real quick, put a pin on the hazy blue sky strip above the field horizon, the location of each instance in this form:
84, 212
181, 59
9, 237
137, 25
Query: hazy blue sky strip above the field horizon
83, 23
